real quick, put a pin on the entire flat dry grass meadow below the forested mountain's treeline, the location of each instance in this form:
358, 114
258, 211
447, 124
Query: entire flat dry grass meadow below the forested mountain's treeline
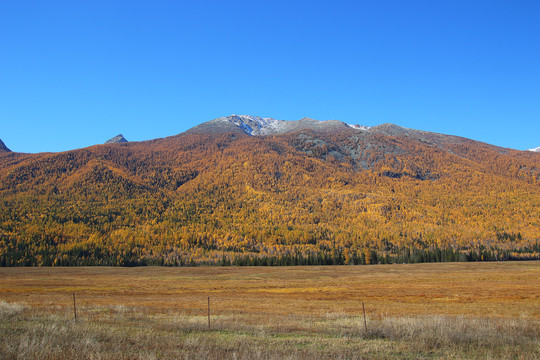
417, 311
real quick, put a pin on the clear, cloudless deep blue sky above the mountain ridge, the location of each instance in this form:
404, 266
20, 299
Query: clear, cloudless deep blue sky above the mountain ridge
76, 73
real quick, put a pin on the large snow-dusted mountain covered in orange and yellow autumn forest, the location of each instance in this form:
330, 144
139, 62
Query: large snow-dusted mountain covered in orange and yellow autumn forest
248, 190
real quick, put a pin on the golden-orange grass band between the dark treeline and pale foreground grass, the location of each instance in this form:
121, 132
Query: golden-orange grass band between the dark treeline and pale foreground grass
507, 289
